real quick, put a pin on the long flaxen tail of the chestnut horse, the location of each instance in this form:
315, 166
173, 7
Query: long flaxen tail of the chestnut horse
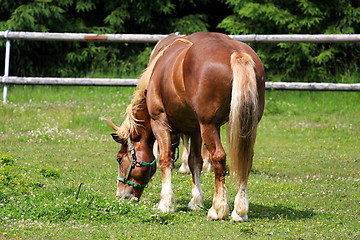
243, 117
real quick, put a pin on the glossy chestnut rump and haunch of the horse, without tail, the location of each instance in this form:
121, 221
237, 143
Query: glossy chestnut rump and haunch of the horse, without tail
208, 76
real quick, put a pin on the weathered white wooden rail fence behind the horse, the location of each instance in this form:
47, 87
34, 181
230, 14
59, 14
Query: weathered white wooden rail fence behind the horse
138, 38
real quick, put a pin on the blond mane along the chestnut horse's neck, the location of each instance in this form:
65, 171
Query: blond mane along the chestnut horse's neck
131, 123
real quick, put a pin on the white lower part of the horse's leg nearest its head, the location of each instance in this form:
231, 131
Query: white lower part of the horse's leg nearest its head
167, 195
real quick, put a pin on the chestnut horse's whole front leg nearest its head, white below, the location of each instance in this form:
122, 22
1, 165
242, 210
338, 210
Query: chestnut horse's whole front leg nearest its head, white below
162, 134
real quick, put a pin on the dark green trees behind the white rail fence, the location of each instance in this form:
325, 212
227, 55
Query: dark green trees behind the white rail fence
289, 61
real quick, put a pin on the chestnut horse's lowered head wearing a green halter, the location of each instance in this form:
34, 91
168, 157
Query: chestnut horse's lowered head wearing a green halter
136, 160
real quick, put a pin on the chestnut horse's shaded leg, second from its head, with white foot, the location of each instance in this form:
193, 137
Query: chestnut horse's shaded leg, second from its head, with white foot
195, 164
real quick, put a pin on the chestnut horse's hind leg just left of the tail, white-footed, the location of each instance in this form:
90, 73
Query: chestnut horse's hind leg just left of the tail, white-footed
211, 137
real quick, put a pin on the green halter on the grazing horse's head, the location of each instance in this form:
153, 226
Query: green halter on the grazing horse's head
135, 163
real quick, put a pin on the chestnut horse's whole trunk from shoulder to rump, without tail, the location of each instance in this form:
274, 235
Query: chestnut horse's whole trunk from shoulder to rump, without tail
192, 83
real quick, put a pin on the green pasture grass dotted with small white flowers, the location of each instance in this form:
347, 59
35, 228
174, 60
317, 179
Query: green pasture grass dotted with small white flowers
58, 171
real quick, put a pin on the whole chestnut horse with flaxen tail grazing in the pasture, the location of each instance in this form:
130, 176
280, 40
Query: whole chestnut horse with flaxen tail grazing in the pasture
194, 85
